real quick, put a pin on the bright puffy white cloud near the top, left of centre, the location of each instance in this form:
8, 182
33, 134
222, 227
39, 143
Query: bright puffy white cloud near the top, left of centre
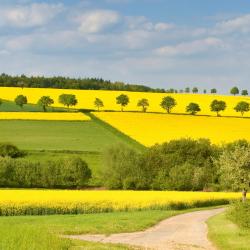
96, 21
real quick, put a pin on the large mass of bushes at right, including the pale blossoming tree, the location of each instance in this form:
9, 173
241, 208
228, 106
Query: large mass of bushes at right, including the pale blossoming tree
183, 164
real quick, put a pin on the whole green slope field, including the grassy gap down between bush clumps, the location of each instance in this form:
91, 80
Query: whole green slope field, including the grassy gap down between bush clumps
49, 140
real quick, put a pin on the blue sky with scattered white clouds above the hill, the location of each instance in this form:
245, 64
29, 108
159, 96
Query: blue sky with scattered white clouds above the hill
161, 43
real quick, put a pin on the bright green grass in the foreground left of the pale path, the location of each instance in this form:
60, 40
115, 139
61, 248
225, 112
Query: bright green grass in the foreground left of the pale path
41, 232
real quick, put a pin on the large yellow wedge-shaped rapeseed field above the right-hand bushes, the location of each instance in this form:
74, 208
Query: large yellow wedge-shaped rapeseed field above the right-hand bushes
149, 129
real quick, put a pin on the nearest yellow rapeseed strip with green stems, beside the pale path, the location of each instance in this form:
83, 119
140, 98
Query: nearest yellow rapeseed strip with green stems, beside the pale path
37, 202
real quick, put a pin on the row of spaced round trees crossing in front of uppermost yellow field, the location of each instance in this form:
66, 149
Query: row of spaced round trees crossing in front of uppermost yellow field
167, 103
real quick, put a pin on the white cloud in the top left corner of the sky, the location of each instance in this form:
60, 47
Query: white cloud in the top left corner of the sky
36, 14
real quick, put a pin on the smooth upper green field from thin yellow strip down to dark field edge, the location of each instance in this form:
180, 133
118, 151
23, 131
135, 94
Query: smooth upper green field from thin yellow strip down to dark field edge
58, 135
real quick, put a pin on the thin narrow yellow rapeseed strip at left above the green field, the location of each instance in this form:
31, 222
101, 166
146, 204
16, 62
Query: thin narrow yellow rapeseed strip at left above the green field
44, 116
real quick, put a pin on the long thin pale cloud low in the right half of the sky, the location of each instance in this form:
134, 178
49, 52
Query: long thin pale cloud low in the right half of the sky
190, 48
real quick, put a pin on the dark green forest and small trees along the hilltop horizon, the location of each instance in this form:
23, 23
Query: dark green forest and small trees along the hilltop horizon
60, 82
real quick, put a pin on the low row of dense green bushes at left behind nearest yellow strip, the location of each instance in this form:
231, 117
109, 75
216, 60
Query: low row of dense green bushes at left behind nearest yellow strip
66, 173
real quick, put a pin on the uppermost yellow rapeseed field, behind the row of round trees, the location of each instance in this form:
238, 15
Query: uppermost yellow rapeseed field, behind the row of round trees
86, 99
